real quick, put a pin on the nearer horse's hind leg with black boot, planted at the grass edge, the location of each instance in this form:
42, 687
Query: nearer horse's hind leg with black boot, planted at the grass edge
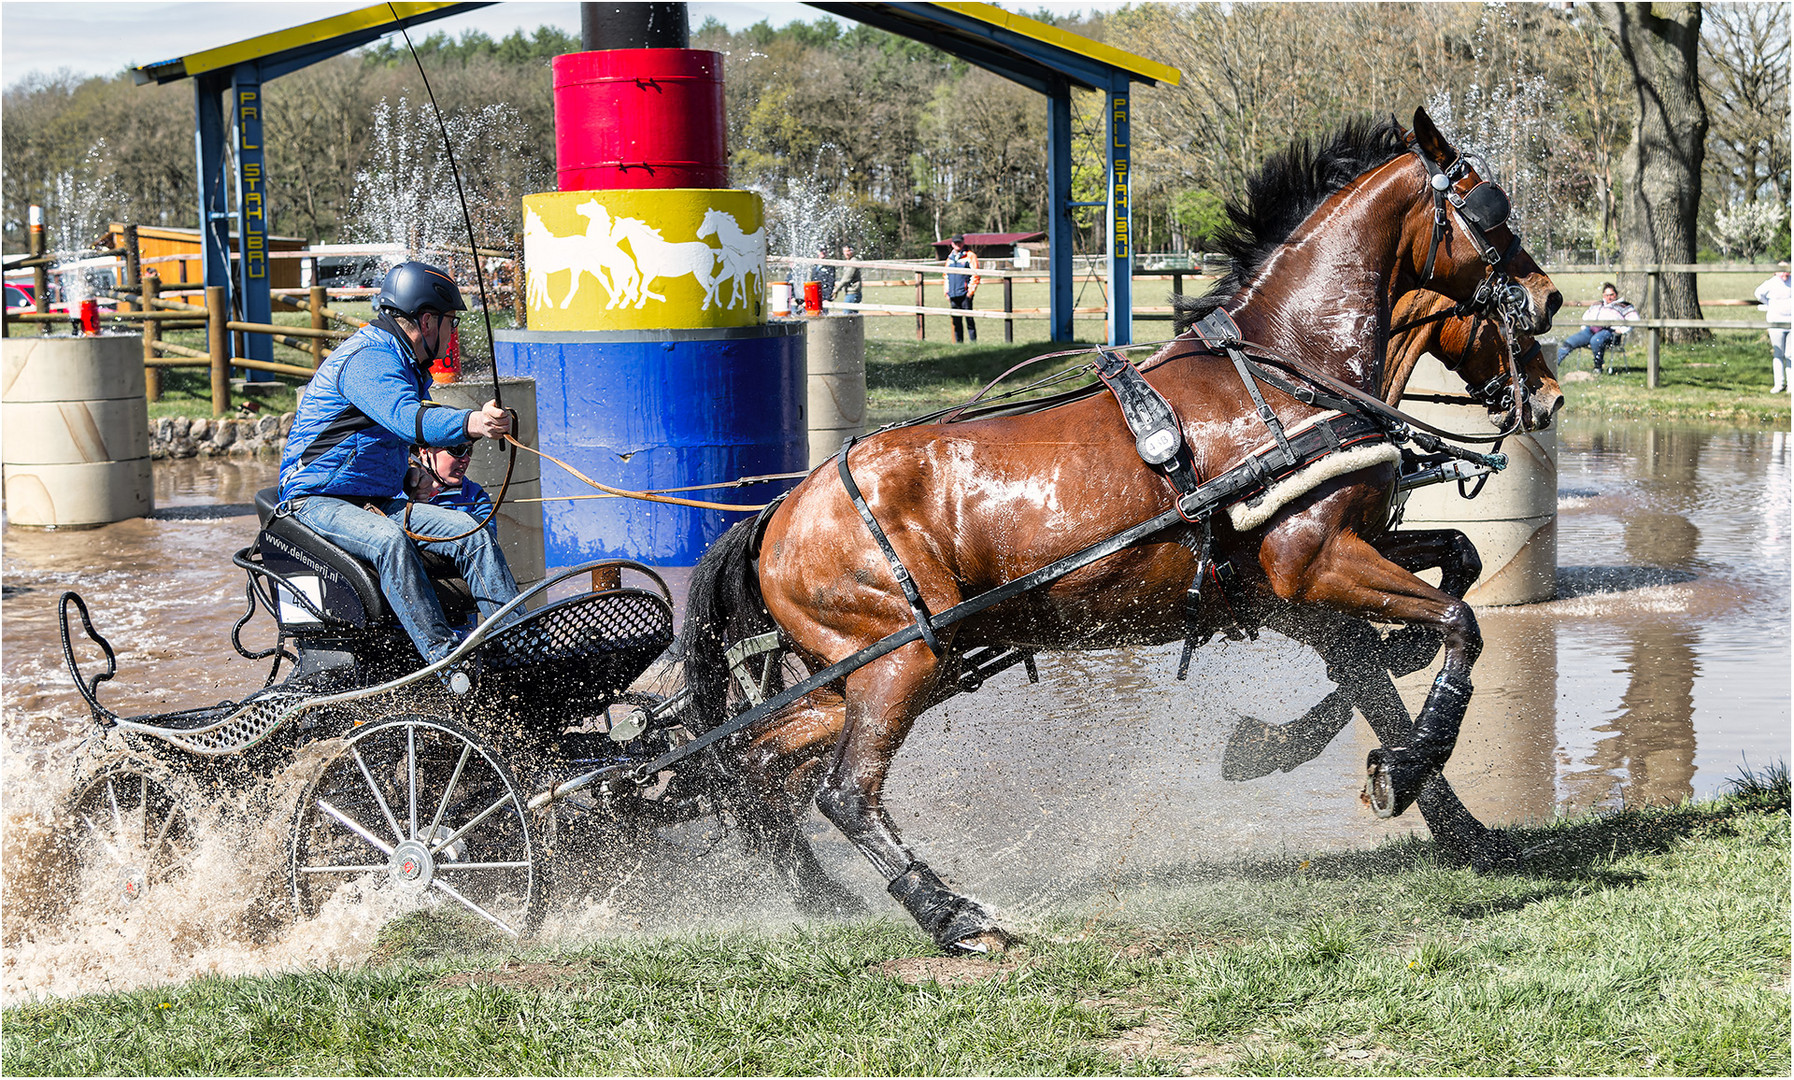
884, 701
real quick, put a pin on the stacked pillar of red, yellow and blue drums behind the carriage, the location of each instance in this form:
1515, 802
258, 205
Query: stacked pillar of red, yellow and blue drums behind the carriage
649, 335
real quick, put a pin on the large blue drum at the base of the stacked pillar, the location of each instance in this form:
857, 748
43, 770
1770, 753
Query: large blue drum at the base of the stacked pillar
647, 410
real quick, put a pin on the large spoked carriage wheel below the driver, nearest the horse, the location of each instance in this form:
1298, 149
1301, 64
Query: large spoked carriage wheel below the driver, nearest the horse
422, 806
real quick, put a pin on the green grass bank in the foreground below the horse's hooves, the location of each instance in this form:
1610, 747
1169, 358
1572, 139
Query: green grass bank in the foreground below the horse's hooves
1646, 943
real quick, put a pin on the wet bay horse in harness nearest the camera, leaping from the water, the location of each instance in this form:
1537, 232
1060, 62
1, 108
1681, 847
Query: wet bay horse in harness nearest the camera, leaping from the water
1328, 243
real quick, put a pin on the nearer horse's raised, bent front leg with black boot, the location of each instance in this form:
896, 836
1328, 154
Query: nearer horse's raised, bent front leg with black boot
1350, 577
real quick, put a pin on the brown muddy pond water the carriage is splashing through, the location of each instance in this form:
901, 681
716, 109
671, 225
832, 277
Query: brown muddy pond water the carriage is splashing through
1657, 674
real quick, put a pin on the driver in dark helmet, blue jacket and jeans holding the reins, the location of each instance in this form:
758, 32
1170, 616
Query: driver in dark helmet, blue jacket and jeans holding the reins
344, 469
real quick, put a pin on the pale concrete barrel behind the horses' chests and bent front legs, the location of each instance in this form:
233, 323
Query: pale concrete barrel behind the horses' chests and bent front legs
1513, 523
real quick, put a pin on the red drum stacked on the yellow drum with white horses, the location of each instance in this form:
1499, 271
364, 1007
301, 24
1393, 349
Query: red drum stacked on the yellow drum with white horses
640, 119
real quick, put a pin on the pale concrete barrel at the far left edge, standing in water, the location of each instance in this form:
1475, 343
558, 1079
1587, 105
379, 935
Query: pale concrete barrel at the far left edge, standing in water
74, 431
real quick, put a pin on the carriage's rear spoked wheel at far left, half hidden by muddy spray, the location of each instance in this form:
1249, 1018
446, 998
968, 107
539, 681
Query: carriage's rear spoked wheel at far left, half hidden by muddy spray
128, 832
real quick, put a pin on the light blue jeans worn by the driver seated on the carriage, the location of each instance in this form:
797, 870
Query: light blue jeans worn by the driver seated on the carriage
381, 541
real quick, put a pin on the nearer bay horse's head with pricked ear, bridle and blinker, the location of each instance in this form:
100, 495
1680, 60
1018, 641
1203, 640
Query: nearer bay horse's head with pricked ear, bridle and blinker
1463, 245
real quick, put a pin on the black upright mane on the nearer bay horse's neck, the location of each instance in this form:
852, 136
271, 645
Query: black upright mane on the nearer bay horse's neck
1287, 189
